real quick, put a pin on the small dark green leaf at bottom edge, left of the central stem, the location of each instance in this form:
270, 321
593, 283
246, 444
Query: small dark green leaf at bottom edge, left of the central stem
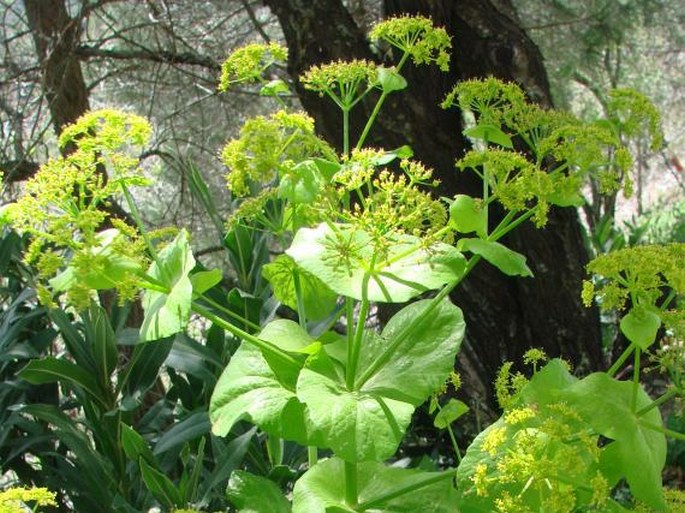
255, 494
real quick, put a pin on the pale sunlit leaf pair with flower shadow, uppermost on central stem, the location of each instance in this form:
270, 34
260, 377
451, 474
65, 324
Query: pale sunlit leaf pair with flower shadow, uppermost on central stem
341, 259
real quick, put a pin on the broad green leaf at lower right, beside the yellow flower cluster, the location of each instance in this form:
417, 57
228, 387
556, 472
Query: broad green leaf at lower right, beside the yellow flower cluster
638, 452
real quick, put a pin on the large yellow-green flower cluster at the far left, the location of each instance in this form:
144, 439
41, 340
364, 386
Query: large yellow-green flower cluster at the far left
64, 207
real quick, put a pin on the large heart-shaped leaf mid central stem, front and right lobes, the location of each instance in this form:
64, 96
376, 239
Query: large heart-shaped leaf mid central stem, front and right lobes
417, 350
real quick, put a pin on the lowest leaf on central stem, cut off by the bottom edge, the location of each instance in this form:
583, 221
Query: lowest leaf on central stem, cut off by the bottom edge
381, 489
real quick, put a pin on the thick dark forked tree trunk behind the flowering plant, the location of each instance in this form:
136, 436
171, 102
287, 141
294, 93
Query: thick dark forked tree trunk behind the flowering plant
505, 316
